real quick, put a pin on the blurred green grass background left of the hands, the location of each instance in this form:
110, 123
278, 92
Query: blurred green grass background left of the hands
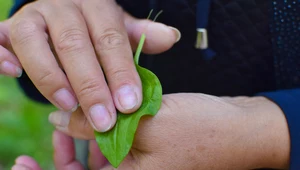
24, 127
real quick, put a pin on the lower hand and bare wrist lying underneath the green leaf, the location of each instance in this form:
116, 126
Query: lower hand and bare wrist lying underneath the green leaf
192, 131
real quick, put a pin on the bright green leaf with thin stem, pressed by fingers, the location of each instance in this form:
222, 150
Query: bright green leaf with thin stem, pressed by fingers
116, 143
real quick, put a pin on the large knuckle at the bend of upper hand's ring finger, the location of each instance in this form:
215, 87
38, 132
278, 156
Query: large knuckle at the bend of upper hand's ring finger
23, 30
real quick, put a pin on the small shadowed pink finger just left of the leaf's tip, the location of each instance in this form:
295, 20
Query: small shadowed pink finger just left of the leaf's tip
96, 159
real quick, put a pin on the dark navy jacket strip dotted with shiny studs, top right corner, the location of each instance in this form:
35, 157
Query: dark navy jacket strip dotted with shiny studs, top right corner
285, 29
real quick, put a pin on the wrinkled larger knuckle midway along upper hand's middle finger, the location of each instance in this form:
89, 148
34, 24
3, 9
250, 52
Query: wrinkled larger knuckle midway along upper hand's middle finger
71, 40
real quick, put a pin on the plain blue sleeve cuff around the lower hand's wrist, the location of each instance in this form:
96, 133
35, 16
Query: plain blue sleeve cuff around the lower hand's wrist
289, 102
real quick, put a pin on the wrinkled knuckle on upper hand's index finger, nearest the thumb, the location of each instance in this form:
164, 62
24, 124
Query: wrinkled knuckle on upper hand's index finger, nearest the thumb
110, 39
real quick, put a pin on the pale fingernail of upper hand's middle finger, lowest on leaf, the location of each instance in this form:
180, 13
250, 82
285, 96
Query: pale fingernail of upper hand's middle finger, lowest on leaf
101, 119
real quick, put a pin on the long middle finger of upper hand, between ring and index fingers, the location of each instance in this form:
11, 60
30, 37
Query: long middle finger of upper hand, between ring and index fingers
72, 43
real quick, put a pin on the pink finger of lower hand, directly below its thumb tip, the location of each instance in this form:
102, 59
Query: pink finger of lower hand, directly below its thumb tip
64, 152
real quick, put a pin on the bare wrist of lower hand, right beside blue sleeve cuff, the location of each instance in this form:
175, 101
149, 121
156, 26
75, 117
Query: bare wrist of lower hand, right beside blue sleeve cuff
268, 129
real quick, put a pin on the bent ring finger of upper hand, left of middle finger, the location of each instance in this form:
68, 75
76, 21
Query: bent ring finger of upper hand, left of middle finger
30, 43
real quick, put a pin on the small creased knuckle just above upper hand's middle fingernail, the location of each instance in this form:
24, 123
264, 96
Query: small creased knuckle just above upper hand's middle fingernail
89, 87
